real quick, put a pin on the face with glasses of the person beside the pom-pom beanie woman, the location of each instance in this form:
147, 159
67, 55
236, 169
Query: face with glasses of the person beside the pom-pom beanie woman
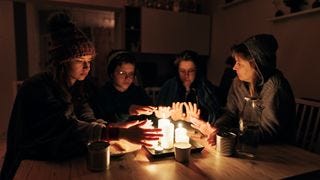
123, 76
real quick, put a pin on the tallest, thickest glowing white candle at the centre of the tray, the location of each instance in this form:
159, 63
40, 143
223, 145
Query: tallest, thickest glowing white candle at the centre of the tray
168, 133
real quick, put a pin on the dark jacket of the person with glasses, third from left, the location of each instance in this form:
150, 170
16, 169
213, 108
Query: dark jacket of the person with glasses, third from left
203, 93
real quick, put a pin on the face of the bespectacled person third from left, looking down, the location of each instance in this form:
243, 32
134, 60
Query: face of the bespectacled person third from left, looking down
187, 73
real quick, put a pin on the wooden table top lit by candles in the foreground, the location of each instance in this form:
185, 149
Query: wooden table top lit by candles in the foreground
271, 162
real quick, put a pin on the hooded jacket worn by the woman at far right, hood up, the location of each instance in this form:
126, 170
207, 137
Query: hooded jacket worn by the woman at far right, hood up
275, 98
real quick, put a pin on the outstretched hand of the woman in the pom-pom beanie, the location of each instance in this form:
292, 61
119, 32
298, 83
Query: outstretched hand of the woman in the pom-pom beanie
139, 135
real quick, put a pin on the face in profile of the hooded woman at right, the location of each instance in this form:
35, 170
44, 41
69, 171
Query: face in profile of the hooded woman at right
245, 70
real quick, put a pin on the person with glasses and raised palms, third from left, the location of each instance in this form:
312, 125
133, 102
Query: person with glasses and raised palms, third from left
190, 85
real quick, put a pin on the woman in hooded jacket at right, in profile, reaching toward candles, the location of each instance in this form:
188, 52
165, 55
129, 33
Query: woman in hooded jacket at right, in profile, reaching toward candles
257, 79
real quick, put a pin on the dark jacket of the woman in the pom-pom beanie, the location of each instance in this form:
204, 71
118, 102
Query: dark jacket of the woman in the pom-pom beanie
45, 124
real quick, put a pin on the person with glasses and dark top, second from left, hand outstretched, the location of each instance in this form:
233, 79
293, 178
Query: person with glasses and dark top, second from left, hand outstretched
119, 99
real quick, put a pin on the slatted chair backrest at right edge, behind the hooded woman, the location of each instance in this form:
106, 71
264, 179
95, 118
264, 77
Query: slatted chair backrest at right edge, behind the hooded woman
308, 124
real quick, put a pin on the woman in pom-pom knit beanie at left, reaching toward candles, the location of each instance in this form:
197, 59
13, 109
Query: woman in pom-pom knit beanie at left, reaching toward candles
50, 119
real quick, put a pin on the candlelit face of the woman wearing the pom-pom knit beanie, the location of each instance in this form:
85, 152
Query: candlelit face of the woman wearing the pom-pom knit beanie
79, 68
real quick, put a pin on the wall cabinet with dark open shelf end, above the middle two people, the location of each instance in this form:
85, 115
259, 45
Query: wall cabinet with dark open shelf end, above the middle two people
167, 32
